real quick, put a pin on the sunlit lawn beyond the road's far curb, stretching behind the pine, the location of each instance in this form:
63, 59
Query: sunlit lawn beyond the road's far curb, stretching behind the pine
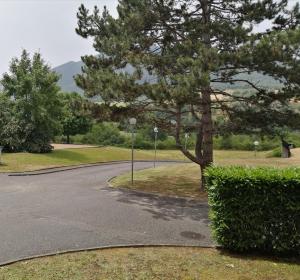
28, 162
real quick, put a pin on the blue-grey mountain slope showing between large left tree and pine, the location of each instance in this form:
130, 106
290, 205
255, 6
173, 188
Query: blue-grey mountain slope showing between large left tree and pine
67, 72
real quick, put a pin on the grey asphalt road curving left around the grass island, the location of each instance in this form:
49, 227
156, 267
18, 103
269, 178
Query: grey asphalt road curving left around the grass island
76, 210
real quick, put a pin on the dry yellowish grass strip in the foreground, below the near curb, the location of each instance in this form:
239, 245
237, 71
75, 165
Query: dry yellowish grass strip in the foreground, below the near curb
152, 263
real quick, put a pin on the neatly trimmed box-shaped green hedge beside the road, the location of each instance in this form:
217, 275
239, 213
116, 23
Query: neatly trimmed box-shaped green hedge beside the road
255, 209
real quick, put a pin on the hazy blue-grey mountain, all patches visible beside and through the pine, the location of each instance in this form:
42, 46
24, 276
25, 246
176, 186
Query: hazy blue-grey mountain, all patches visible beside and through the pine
70, 69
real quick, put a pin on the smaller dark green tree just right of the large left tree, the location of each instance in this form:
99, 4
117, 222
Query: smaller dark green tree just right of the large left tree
76, 115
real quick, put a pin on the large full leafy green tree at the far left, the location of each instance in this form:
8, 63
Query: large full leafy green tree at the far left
31, 91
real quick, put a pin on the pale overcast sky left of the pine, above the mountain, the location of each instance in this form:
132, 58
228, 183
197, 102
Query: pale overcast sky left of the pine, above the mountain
47, 26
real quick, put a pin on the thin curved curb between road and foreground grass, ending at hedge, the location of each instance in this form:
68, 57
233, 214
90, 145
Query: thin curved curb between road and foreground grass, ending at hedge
90, 249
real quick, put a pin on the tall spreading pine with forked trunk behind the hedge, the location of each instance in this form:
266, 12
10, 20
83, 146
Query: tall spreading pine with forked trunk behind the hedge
191, 51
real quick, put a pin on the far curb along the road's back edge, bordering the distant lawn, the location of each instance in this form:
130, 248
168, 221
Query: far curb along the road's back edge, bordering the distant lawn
74, 167
